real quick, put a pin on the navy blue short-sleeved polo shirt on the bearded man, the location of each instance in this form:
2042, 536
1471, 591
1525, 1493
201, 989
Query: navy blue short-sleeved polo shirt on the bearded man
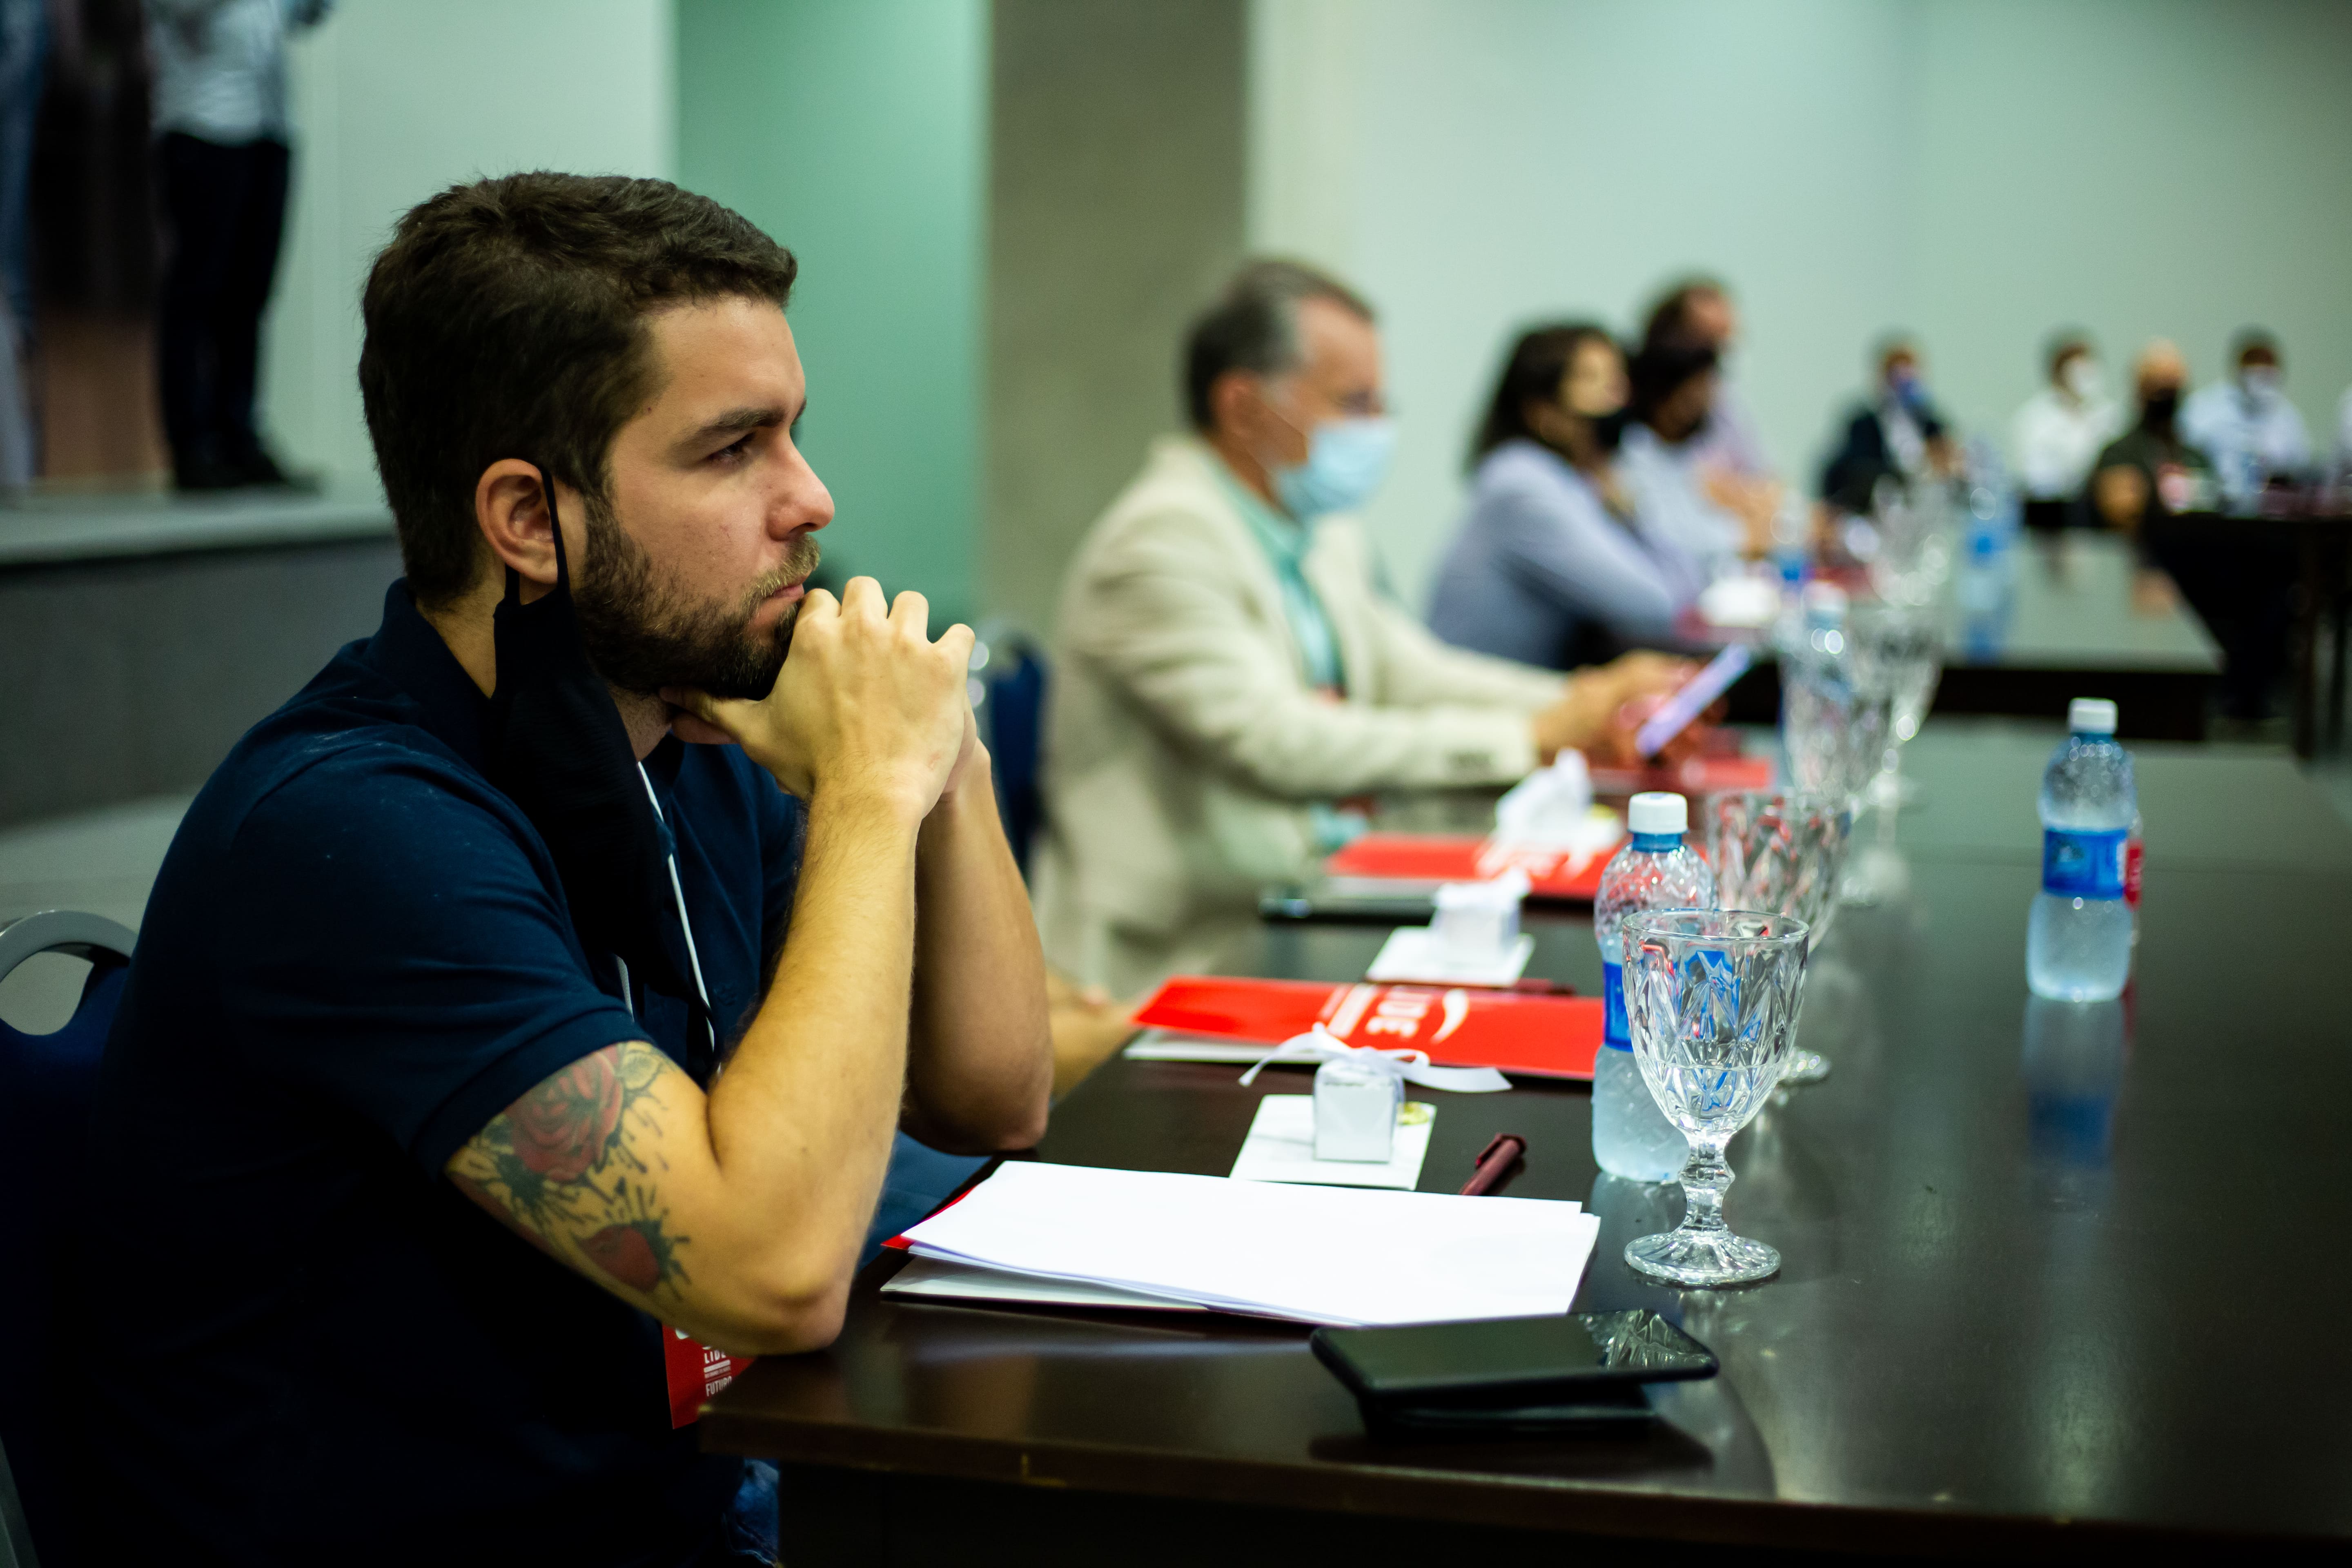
302, 1341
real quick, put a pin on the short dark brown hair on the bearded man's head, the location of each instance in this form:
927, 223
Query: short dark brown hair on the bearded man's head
509, 321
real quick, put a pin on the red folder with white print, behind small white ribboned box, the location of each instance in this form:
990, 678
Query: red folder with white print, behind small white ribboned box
1551, 1038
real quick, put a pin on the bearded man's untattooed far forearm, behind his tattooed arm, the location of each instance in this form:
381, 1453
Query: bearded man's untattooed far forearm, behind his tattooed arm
980, 1047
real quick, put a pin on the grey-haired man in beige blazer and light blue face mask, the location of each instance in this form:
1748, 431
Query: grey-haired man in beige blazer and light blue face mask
1229, 669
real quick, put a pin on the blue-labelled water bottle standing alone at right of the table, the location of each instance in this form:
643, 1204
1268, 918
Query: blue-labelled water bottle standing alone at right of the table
2078, 946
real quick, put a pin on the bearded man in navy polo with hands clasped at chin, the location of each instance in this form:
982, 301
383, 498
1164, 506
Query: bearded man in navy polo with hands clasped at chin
526, 1010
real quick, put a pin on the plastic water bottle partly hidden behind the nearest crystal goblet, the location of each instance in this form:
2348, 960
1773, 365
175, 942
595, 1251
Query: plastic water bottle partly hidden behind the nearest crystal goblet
1657, 871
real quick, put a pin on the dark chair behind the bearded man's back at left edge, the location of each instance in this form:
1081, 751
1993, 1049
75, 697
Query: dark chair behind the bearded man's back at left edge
46, 1092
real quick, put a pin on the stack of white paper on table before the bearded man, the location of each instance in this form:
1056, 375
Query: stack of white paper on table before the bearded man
1311, 1254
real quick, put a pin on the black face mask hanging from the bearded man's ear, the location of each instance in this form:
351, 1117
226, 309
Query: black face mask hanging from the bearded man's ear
559, 751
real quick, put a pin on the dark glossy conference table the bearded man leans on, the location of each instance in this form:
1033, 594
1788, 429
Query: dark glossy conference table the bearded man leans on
2054, 1280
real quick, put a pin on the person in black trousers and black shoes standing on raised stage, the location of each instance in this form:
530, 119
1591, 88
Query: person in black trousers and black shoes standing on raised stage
222, 161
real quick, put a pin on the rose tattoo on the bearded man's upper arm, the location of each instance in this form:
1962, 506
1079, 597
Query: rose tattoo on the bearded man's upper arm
566, 1167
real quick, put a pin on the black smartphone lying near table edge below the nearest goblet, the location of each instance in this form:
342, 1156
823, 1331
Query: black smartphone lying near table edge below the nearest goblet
1511, 1362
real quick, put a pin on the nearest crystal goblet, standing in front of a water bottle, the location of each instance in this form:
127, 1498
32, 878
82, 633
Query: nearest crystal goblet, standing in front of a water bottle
1711, 998
